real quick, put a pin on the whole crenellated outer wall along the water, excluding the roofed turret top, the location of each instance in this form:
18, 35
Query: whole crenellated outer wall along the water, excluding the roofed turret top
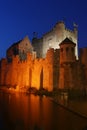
48, 73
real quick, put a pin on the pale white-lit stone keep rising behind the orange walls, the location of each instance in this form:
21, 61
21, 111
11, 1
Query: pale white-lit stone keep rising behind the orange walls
53, 38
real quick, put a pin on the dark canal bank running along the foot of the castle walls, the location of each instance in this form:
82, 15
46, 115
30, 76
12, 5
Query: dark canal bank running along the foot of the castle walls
78, 107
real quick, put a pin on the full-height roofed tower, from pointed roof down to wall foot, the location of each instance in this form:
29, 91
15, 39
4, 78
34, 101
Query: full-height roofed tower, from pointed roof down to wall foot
67, 58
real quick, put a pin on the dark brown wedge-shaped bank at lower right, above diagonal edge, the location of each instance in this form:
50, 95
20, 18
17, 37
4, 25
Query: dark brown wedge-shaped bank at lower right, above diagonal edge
77, 107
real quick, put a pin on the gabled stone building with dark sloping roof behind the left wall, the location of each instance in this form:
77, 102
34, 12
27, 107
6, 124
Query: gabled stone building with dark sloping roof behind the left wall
20, 48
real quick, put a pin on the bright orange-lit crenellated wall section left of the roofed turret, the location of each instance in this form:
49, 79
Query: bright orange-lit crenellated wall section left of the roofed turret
36, 73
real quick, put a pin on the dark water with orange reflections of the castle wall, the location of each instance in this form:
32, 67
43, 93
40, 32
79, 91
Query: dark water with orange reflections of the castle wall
21, 112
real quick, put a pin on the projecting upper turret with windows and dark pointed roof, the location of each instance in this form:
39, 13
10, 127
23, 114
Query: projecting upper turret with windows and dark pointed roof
67, 51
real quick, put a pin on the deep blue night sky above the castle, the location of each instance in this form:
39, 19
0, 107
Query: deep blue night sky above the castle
19, 18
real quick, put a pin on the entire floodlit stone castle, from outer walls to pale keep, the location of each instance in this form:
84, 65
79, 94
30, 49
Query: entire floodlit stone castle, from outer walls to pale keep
50, 62
